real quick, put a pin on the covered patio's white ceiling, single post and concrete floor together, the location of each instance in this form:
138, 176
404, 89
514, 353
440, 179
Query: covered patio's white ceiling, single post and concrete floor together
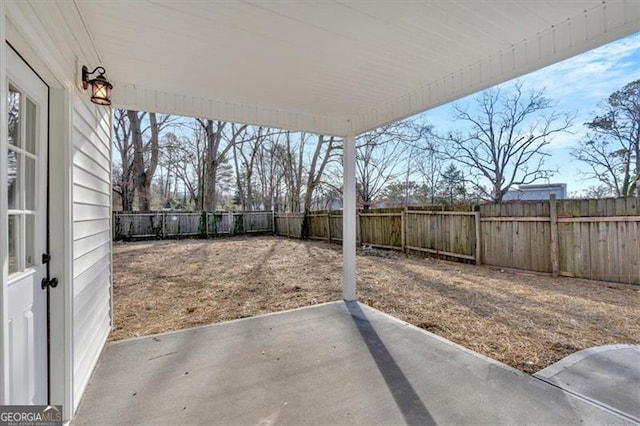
338, 68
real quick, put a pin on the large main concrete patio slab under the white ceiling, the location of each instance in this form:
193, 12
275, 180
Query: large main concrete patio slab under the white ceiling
336, 363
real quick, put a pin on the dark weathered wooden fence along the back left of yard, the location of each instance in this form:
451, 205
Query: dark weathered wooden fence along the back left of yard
135, 225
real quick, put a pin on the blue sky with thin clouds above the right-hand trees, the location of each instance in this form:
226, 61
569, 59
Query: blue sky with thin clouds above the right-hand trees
576, 85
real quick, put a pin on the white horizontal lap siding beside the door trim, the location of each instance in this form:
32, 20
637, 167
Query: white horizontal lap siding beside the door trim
91, 239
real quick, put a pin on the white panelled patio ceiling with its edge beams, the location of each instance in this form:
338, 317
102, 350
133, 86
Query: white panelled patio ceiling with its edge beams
334, 67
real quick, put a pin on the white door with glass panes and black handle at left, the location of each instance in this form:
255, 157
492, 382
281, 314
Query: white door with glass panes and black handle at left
27, 110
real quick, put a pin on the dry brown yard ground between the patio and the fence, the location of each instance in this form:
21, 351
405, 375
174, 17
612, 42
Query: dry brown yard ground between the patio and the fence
525, 320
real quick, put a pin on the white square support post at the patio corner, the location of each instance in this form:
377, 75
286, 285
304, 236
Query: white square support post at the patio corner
349, 220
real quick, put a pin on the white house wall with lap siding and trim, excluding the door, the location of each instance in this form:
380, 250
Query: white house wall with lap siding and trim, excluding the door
52, 39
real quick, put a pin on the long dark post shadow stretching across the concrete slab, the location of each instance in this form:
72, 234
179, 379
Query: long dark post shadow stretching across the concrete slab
411, 406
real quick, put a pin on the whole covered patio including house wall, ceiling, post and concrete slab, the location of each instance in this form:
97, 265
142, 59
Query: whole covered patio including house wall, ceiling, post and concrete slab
336, 68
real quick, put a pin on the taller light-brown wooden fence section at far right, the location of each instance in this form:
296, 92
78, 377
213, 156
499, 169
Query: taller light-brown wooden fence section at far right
595, 239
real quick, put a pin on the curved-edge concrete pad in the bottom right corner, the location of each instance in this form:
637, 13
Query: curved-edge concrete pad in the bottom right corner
608, 374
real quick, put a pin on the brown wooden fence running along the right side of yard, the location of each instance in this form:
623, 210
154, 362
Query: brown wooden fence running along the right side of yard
595, 239
